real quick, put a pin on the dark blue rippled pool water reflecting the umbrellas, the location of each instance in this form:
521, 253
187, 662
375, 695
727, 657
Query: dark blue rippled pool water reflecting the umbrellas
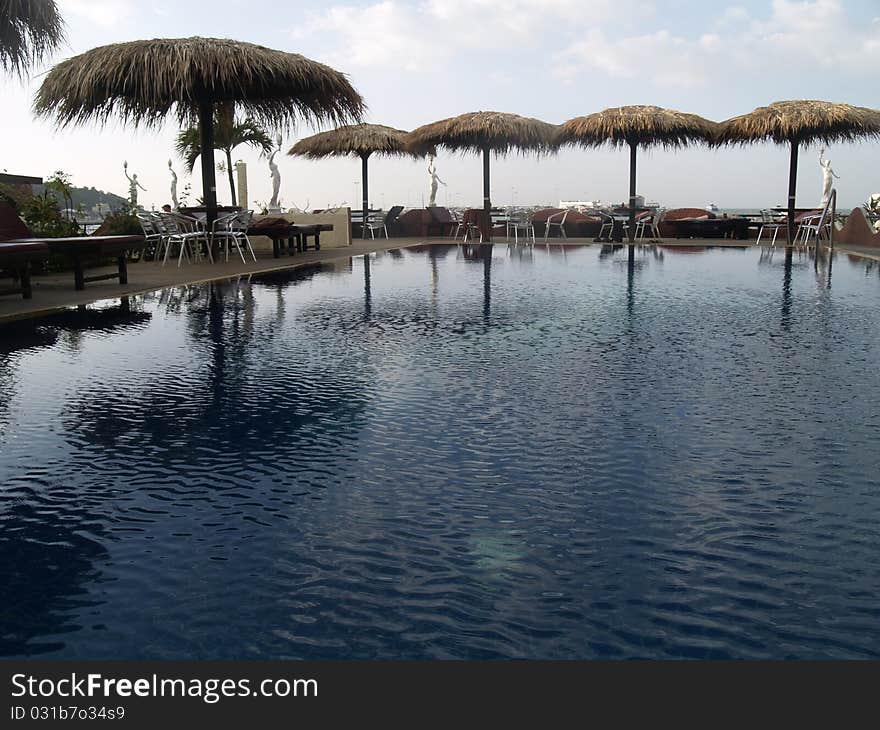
545, 454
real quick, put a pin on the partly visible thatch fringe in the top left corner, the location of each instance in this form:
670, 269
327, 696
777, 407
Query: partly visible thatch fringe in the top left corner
29, 29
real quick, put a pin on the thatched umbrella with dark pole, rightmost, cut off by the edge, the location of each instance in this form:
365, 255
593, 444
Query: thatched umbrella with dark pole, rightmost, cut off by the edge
797, 122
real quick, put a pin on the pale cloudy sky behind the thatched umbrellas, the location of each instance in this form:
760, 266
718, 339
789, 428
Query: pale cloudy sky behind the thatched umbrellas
417, 62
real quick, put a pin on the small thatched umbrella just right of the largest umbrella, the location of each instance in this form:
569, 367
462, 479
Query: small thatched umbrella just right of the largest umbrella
356, 139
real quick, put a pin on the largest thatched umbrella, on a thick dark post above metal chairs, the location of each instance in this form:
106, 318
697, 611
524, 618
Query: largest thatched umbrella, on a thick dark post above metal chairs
142, 81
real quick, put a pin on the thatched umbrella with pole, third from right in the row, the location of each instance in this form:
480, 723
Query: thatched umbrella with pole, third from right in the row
485, 132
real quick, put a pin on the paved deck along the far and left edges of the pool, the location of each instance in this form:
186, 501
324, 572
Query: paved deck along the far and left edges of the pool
55, 291
